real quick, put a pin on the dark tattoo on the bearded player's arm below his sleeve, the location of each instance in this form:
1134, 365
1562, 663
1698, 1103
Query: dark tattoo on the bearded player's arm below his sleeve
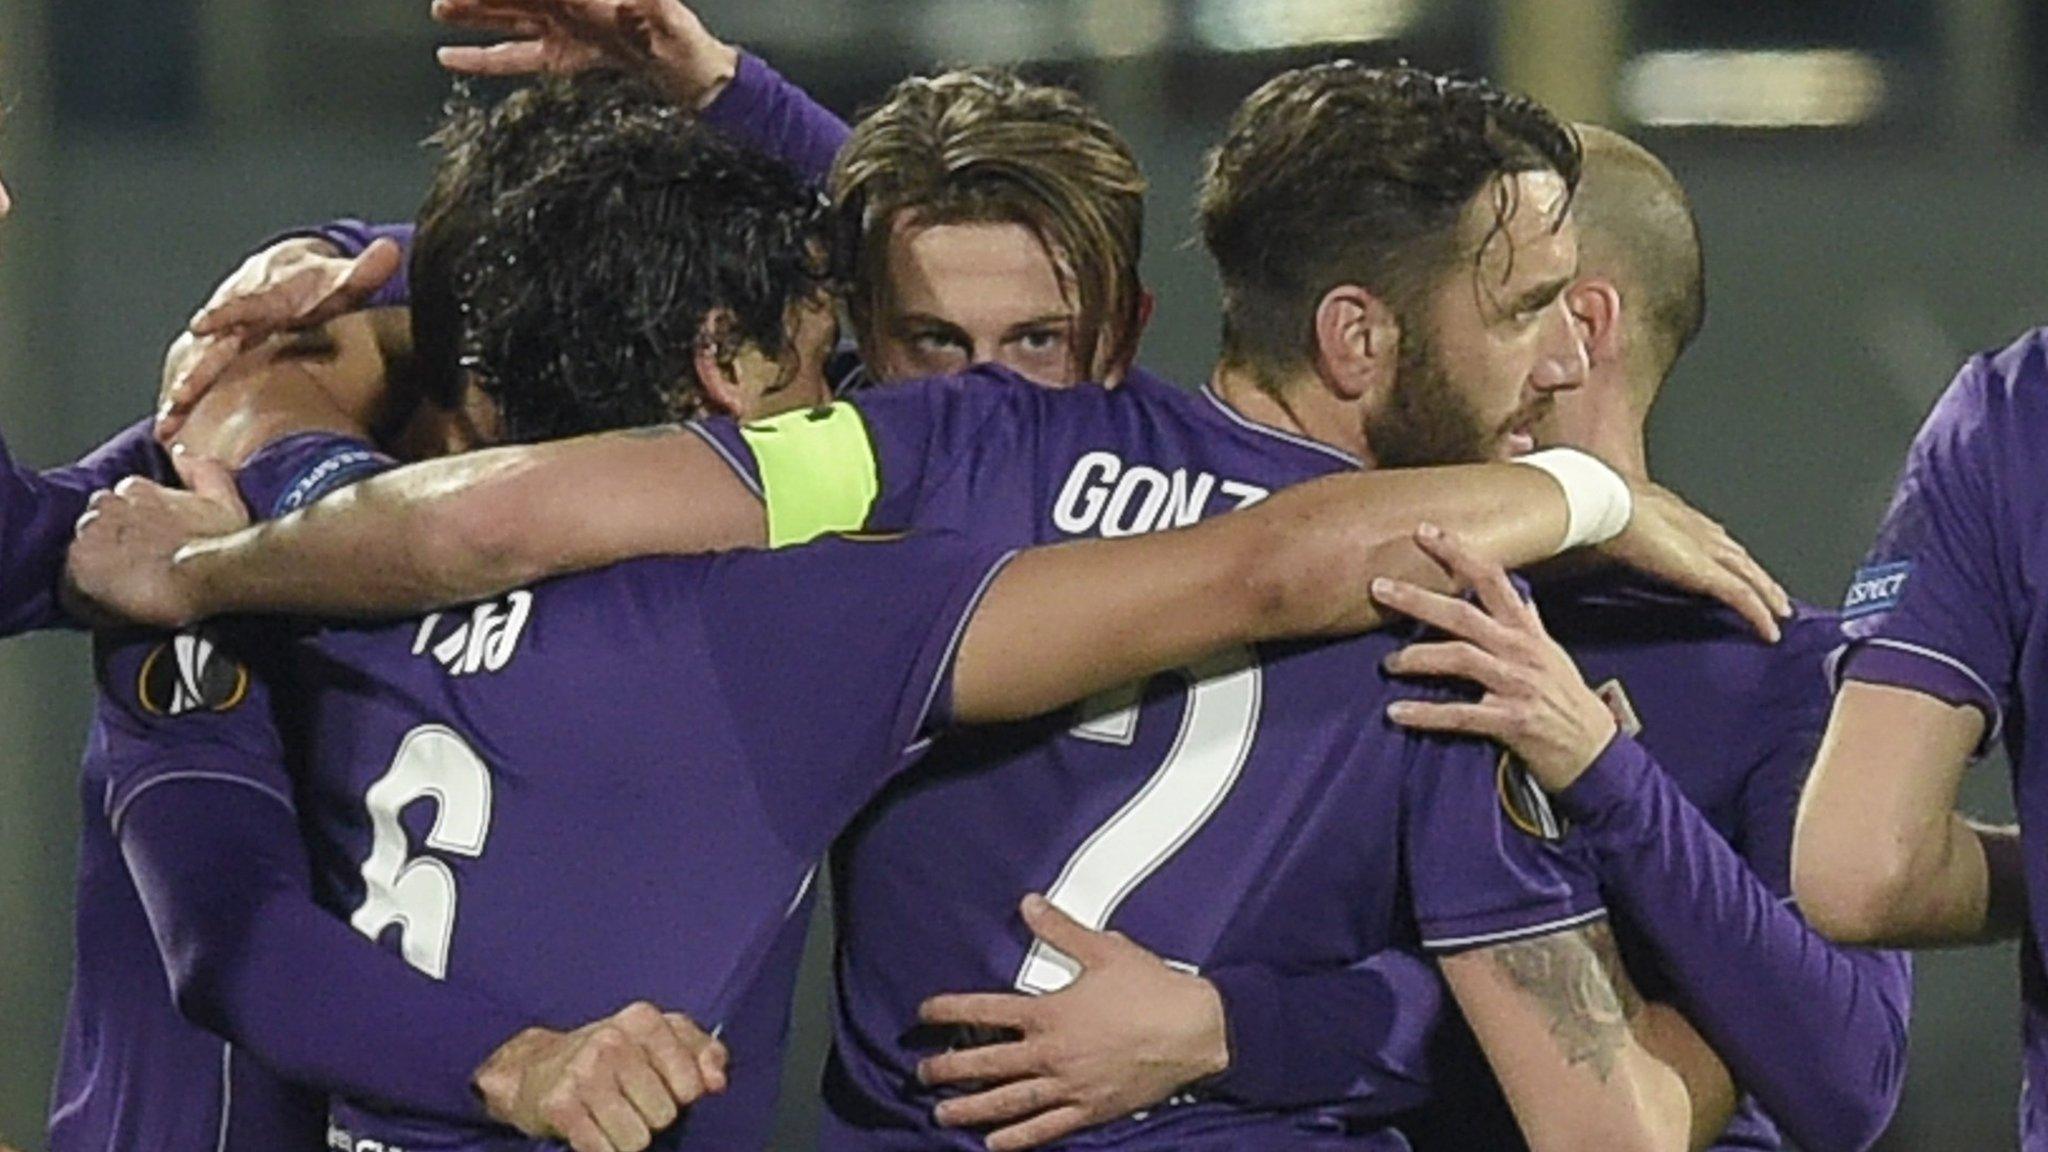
1580, 981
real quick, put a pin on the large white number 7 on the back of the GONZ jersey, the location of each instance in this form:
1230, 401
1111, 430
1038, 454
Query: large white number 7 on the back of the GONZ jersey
1215, 737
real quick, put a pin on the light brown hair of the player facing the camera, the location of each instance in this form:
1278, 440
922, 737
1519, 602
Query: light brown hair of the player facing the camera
986, 147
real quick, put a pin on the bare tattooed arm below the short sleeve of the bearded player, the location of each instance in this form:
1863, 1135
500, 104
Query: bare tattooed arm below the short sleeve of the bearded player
1582, 1059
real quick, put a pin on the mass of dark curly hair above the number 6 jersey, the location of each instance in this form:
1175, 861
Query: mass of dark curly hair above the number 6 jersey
574, 243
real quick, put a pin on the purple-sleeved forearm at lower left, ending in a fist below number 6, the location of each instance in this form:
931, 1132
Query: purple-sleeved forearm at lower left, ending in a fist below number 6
253, 958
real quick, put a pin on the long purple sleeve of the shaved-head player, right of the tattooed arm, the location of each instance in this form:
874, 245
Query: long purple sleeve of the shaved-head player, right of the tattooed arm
1816, 1032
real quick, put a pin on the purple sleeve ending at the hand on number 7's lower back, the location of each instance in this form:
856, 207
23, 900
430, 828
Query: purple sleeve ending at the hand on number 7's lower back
1353, 1034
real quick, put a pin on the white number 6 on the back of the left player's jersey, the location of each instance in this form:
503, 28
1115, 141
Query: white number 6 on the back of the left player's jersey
419, 895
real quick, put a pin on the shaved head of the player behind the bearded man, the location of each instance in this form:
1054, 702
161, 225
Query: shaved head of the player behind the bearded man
1637, 231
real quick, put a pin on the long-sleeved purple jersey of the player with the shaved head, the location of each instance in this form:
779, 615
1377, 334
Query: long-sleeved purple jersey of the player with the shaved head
1734, 723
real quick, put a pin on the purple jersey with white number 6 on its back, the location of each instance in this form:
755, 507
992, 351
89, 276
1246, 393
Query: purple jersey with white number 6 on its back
615, 786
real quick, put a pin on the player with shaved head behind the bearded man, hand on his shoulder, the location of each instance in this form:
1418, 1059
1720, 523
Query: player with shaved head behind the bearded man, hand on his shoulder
1695, 858
